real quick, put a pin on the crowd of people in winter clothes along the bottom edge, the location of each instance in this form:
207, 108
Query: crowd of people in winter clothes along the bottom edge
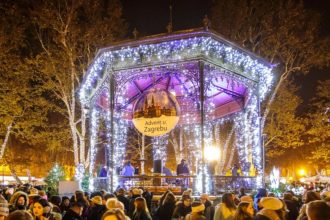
28, 203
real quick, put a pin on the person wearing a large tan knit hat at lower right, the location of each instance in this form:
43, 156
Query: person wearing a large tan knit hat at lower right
271, 209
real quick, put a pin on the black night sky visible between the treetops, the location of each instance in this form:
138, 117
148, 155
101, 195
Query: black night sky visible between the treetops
152, 16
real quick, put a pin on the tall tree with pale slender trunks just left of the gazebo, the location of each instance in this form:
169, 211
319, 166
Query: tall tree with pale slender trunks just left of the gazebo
69, 33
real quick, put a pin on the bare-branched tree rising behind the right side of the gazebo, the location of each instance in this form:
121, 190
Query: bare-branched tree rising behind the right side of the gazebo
284, 32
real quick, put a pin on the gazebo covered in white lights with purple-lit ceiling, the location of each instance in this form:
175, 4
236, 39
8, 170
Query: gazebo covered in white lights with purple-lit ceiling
218, 86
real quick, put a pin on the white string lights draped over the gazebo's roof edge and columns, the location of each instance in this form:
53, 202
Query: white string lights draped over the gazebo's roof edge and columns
235, 68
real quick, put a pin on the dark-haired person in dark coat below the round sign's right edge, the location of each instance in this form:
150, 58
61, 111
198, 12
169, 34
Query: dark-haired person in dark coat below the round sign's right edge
166, 209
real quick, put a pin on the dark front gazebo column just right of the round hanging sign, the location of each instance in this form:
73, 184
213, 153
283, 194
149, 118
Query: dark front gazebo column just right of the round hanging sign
202, 118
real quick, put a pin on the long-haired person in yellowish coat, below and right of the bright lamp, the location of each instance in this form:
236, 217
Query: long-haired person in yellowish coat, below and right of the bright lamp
226, 209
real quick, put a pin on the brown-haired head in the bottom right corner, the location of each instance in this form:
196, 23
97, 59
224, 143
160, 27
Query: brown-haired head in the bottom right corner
318, 210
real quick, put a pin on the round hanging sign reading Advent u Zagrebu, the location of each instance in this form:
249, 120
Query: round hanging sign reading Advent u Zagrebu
156, 113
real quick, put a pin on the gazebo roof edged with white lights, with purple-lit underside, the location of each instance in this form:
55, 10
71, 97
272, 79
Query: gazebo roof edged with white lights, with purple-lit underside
164, 51
